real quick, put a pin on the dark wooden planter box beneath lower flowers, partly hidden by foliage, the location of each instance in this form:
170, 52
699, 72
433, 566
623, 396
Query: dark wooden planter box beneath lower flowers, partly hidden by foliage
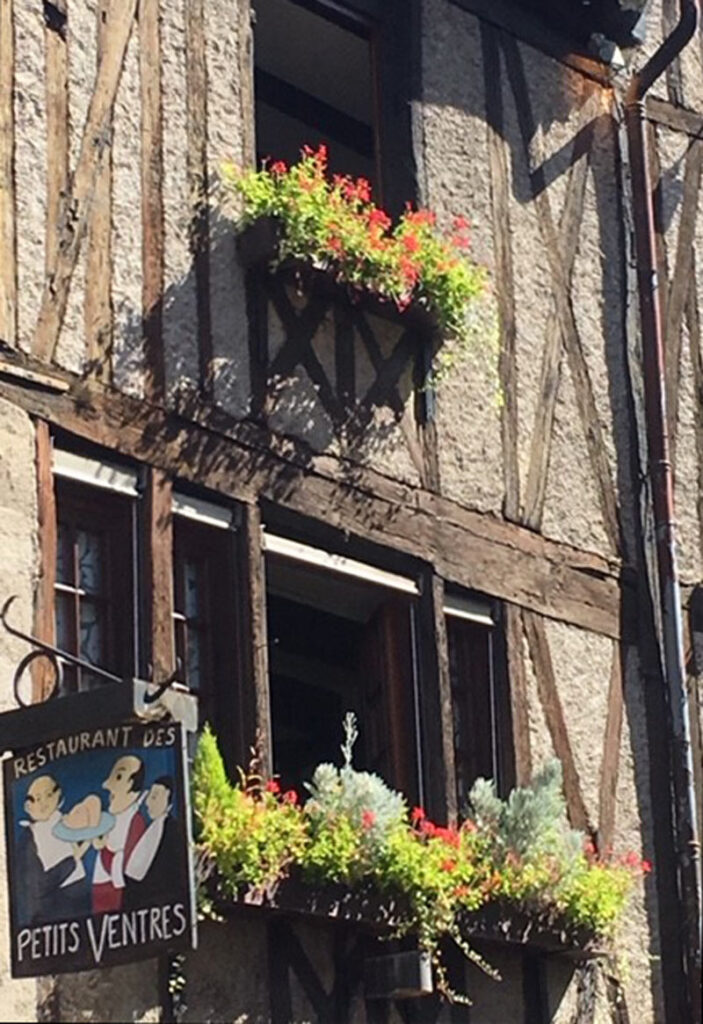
379, 914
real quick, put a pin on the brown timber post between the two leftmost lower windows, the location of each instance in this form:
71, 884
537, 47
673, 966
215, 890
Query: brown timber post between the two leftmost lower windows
160, 573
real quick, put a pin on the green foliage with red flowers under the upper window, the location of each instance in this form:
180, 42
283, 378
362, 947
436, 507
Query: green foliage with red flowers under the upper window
335, 226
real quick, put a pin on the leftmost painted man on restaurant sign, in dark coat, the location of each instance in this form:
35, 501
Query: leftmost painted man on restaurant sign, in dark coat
54, 880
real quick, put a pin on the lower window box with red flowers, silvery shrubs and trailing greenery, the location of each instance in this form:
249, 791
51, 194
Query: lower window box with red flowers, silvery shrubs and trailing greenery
513, 872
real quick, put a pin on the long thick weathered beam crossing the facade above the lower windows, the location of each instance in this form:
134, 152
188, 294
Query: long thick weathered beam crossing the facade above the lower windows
243, 462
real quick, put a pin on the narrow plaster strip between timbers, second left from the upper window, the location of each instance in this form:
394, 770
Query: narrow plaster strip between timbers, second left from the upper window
181, 318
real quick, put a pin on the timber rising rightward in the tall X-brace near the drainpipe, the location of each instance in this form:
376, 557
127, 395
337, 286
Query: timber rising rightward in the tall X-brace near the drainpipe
569, 234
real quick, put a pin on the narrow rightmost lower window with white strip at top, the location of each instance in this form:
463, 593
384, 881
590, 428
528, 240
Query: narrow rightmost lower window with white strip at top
470, 625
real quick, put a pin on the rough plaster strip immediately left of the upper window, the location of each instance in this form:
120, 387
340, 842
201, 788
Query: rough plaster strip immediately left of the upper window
228, 302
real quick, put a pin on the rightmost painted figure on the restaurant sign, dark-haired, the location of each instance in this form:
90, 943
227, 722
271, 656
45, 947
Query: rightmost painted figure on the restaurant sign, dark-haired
155, 869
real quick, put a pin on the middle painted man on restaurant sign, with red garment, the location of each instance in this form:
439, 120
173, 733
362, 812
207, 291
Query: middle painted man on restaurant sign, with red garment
115, 849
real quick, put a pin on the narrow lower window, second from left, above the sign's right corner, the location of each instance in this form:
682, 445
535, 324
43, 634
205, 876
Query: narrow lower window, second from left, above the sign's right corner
204, 613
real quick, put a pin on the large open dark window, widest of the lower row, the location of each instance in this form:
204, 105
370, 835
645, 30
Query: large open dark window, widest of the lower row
339, 645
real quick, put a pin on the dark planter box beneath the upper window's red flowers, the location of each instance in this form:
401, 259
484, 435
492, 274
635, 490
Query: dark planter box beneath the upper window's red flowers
258, 247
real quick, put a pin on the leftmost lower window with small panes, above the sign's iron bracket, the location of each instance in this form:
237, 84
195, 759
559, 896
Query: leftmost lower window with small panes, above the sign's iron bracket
94, 588
